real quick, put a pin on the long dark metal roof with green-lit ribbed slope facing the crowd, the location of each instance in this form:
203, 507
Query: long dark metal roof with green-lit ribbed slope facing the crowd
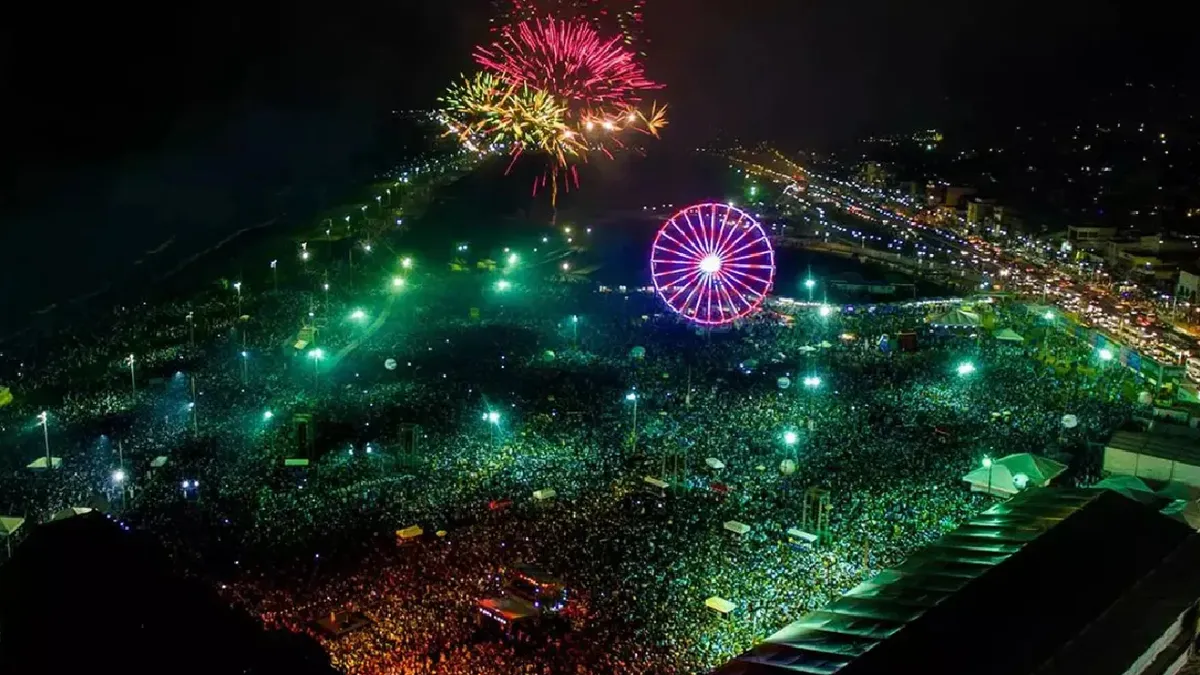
1010, 574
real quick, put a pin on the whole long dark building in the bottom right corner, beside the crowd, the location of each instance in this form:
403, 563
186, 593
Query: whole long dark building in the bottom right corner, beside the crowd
1053, 582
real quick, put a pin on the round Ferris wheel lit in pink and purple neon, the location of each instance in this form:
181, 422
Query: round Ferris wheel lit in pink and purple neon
712, 264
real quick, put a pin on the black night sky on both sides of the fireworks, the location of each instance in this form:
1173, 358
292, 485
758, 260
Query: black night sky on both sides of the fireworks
125, 128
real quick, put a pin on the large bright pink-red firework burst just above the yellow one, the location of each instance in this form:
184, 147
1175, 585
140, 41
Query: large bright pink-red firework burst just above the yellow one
567, 59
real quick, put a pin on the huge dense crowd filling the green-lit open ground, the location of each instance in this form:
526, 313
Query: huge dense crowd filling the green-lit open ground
889, 434
